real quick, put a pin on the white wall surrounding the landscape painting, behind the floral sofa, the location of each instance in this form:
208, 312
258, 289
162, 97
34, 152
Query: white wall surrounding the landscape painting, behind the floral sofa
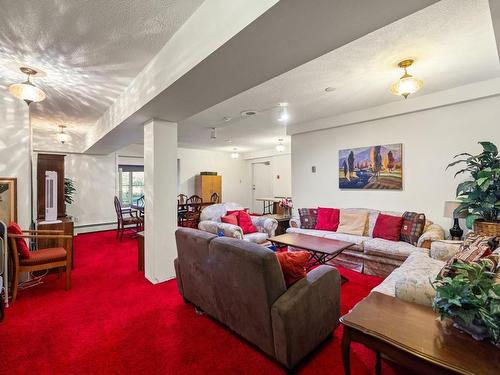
430, 140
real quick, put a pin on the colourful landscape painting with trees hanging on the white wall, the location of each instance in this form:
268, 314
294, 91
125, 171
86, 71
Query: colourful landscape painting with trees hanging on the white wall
373, 167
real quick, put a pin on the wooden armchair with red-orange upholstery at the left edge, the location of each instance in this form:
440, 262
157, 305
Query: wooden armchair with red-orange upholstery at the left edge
41, 259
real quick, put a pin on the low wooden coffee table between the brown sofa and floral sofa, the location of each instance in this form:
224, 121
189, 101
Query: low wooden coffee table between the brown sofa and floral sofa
322, 249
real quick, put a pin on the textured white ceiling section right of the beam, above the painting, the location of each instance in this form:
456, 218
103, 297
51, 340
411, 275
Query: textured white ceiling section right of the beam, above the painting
452, 43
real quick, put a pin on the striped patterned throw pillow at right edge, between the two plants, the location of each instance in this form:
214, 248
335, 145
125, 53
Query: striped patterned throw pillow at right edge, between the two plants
474, 248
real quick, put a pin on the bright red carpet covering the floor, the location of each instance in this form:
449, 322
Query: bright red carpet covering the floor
113, 321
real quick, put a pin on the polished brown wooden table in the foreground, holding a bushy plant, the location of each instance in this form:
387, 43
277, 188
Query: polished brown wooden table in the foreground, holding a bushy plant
410, 335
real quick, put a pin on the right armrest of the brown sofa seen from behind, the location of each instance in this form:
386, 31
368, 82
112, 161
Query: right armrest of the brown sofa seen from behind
306, 314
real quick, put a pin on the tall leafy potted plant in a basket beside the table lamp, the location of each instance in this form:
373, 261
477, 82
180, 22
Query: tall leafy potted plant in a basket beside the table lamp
480, 196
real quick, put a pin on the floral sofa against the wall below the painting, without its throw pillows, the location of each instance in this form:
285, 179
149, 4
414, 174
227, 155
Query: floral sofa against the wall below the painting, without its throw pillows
374, 256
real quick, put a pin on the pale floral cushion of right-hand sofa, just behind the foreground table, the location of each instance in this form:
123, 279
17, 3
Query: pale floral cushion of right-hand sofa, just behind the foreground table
413, 284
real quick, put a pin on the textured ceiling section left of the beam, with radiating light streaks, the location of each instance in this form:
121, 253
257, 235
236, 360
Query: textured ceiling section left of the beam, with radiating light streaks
90, 51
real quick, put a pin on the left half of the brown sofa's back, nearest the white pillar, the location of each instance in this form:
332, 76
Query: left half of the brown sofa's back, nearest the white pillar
194, 267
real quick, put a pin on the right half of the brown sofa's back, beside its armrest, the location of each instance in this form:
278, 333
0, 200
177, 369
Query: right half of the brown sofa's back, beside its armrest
247, 280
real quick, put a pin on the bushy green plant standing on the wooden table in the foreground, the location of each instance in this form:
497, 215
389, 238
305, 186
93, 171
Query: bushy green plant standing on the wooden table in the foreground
470, 297
